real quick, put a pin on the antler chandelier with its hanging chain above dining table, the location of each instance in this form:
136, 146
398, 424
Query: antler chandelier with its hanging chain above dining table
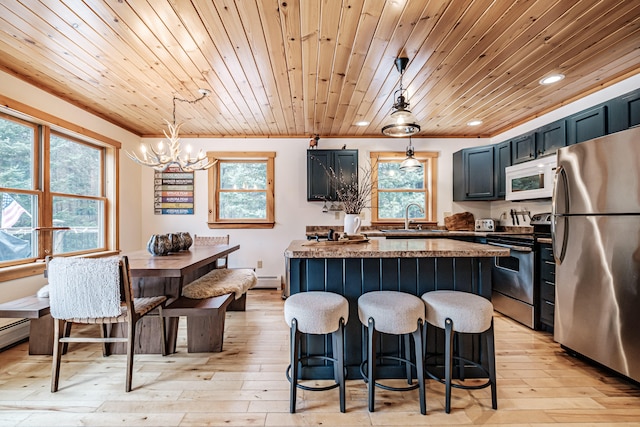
161, 157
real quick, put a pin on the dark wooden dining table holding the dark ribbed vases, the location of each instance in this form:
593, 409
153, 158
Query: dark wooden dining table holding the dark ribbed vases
153, 275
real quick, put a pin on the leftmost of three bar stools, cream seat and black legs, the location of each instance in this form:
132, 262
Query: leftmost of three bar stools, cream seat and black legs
316, 312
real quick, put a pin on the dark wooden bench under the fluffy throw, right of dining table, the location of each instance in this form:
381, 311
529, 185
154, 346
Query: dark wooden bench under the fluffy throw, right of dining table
205, 320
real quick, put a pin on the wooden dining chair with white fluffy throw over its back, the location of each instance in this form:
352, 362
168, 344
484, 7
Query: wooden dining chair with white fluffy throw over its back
96, 291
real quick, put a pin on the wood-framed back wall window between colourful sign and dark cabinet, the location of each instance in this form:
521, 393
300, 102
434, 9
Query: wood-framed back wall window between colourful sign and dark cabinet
241, 190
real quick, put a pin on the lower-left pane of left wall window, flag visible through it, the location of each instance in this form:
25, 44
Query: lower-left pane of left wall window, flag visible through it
17, 239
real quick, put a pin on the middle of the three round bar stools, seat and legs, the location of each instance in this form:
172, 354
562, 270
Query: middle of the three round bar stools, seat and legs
396, 313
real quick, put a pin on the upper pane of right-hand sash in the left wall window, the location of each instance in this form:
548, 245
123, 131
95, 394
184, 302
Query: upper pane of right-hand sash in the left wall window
75, 168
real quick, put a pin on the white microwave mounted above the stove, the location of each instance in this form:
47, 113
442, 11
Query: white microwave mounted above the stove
531, 180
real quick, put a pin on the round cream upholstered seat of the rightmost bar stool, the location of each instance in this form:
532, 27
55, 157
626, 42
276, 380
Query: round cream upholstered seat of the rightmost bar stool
470, 313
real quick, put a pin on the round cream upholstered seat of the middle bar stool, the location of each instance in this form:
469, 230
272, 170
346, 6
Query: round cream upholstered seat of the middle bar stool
393, 312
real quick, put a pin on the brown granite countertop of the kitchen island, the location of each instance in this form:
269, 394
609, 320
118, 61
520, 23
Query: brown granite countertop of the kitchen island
393, 248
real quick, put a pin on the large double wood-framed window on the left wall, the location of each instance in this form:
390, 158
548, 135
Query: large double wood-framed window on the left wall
54, 195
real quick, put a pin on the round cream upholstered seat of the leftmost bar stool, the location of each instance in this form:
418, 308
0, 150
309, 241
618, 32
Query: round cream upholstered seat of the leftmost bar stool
316, 312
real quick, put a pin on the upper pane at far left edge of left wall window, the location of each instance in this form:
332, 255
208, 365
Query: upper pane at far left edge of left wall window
16, 155
